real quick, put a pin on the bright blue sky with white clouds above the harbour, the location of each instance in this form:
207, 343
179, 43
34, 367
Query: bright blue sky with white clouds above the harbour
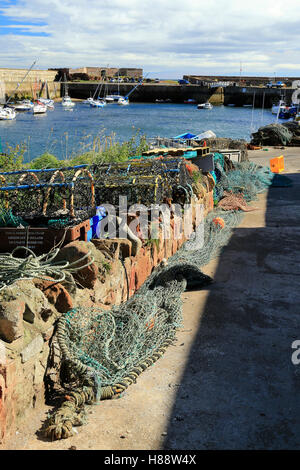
167, 38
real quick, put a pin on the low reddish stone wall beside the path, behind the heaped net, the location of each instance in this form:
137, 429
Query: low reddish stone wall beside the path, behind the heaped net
29, 310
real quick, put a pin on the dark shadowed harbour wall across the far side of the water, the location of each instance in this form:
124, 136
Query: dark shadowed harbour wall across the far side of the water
149, 93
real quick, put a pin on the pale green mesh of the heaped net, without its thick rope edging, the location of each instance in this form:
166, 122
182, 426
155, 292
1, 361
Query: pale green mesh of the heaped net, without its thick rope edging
113, 342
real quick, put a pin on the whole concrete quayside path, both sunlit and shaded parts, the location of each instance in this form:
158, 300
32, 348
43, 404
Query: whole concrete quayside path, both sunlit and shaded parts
229, 382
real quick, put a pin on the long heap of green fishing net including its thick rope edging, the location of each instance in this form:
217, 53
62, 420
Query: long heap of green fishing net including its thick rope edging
103, 352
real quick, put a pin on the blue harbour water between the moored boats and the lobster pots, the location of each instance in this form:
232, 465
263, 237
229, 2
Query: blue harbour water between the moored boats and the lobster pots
67, 133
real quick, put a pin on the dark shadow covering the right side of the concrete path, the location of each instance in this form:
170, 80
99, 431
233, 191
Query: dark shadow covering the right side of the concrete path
239, 389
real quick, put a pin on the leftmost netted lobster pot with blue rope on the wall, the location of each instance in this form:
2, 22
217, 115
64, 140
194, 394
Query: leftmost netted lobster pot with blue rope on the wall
40, 194
